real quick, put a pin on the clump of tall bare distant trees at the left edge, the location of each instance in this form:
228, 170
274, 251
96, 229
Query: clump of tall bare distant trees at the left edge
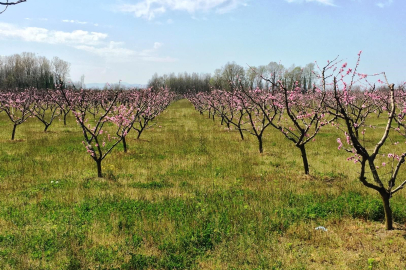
28, 70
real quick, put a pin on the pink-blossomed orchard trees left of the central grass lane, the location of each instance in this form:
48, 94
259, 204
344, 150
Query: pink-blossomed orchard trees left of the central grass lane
105, 117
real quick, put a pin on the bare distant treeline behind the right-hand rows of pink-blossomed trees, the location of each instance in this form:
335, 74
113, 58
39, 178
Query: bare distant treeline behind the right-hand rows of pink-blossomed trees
232, 73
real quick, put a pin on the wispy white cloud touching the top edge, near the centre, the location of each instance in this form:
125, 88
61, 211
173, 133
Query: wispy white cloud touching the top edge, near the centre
149, 9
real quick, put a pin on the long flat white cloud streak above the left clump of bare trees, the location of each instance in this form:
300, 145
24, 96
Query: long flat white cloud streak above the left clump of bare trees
36, 34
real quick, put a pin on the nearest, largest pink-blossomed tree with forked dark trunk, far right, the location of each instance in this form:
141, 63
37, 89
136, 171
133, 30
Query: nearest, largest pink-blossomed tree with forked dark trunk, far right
367, 153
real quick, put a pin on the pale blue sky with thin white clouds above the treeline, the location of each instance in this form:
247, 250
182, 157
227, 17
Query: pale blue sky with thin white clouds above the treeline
130, 40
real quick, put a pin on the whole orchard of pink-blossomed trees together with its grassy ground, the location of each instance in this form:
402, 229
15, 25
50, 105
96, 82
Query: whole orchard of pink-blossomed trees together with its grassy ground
249, 165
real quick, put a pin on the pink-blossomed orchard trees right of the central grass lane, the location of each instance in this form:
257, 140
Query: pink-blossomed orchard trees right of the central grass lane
336, 100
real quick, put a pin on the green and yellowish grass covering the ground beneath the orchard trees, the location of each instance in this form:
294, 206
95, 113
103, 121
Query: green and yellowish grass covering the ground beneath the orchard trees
189, 195
